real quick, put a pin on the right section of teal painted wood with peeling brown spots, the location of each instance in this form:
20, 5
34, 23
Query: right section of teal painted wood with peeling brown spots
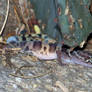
78, 10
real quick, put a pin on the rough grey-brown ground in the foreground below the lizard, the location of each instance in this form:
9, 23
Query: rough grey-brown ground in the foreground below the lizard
68, 78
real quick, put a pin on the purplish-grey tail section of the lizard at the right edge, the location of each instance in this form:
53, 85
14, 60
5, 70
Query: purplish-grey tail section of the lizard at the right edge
77, 60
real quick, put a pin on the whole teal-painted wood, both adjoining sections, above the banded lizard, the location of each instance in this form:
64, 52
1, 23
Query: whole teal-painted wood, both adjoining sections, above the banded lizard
46, 11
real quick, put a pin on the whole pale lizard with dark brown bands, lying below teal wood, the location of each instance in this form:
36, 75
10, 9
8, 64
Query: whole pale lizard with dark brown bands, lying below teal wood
49, 51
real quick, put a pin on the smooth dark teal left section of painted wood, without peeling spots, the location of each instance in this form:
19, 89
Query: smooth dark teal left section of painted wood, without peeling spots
45, 10
